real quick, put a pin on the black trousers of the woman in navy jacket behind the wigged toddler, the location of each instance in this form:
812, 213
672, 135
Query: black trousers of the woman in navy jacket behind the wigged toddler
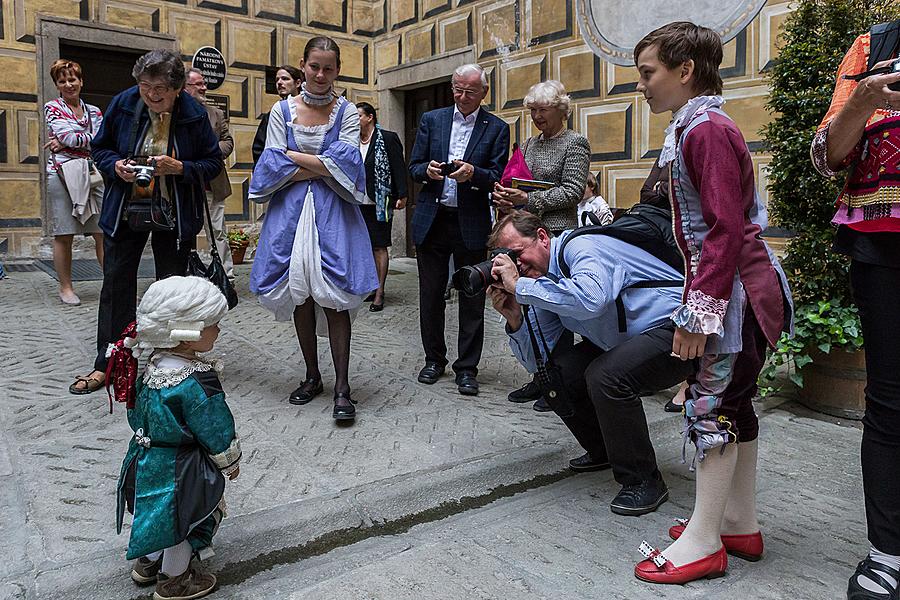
118, 297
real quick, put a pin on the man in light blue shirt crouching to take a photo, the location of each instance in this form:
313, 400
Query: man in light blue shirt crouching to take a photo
618, 298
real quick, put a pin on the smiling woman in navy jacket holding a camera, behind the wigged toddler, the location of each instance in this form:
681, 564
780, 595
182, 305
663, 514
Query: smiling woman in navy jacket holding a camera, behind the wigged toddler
174, 132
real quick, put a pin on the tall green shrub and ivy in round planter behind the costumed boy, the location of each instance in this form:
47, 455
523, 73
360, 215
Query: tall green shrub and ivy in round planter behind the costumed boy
824, 359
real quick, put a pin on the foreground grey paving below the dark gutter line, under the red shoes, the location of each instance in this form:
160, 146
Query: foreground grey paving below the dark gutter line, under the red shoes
561, 541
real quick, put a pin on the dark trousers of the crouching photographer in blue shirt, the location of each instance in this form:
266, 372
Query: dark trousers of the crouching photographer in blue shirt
605, 389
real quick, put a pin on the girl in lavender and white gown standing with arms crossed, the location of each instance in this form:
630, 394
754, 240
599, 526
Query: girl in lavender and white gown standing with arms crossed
314, 255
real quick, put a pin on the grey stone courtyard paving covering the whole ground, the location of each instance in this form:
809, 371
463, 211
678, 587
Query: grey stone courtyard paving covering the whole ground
414, 451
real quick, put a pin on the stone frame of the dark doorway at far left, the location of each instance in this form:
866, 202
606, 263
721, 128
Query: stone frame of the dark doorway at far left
49, 31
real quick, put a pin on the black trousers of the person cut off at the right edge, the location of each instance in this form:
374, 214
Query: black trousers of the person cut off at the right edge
875, 290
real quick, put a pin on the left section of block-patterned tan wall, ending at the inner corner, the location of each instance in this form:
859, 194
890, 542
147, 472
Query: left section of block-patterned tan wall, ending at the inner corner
252, 34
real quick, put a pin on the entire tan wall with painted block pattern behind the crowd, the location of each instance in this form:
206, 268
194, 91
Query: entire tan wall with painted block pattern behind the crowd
520, 42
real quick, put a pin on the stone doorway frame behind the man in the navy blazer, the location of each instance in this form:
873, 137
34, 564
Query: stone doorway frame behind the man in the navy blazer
394, 82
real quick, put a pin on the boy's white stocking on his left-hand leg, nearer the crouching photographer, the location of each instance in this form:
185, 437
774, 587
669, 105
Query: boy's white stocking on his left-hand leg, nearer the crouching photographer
701, 537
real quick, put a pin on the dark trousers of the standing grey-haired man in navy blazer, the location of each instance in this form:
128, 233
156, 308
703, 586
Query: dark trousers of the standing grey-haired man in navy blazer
433, 256
